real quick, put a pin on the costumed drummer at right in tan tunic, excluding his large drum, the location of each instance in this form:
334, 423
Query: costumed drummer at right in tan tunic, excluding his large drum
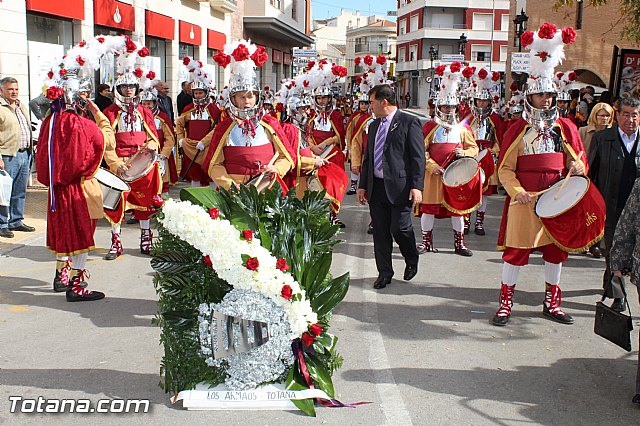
538, 150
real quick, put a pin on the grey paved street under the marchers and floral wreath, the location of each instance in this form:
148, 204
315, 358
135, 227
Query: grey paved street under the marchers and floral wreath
422, 352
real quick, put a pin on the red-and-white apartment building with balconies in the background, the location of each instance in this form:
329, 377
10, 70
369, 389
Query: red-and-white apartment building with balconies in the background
477, 29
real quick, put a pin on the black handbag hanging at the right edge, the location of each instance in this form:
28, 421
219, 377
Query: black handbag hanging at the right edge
614, 326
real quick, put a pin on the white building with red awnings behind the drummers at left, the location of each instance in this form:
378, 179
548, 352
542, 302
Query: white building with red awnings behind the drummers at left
36, 29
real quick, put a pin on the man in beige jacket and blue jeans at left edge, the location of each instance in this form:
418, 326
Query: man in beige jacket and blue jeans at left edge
15, 147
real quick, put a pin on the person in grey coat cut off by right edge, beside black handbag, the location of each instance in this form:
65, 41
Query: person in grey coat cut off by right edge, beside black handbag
625, 251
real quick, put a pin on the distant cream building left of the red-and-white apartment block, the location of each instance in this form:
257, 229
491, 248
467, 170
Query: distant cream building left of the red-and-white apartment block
377, 38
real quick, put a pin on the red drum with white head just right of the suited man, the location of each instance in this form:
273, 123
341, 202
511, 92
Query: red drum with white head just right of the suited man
462, 186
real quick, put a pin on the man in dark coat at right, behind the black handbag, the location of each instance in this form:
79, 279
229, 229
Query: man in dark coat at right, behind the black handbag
614, 162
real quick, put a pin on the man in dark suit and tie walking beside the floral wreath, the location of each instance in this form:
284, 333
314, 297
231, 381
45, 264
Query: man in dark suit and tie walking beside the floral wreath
393, 178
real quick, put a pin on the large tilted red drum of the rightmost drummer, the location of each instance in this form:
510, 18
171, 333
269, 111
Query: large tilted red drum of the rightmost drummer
573, 217
